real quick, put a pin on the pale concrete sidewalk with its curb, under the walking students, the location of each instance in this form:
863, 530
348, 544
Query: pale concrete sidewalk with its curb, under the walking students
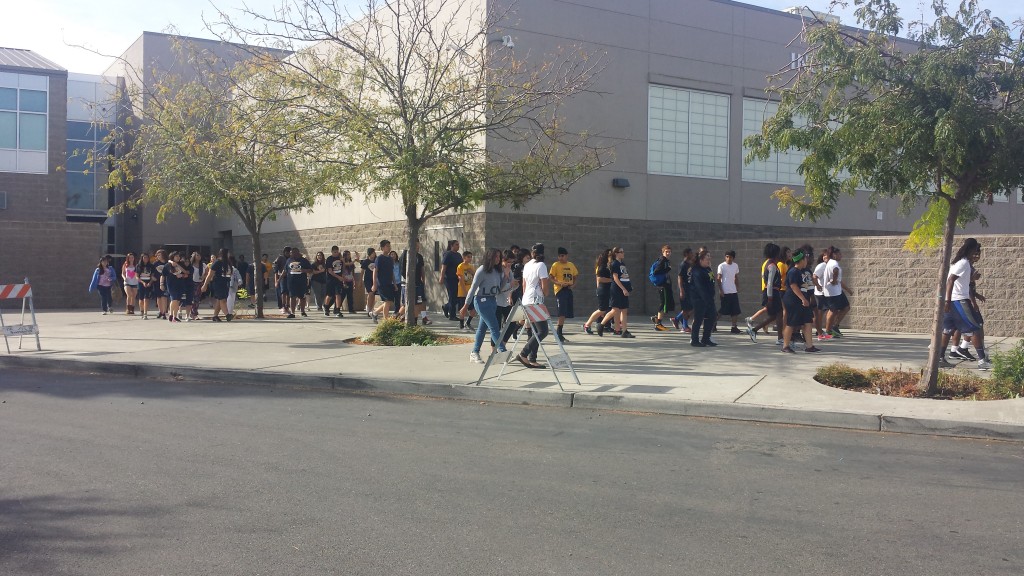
657, 373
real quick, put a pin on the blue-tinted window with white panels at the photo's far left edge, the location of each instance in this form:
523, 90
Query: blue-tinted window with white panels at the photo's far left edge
24, 122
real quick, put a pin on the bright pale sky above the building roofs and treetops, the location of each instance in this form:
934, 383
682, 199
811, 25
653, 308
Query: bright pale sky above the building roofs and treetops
55, 29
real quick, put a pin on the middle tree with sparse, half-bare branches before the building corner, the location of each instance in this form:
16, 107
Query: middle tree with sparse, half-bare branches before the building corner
429, 103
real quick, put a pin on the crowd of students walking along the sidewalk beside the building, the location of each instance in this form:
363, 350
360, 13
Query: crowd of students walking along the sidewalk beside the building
803, 295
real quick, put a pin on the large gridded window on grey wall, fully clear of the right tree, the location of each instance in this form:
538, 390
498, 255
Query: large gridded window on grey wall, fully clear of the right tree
688, 134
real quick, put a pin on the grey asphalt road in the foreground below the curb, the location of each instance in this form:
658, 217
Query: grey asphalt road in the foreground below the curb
108, 476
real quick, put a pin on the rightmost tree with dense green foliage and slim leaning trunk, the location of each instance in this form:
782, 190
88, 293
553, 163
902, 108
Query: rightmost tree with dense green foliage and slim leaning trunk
935, 119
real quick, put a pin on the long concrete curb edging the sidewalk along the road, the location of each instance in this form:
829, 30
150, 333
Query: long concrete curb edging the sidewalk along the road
527, 397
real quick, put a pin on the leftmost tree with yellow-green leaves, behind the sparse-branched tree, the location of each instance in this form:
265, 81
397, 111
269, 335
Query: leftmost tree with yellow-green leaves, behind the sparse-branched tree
220, 143
